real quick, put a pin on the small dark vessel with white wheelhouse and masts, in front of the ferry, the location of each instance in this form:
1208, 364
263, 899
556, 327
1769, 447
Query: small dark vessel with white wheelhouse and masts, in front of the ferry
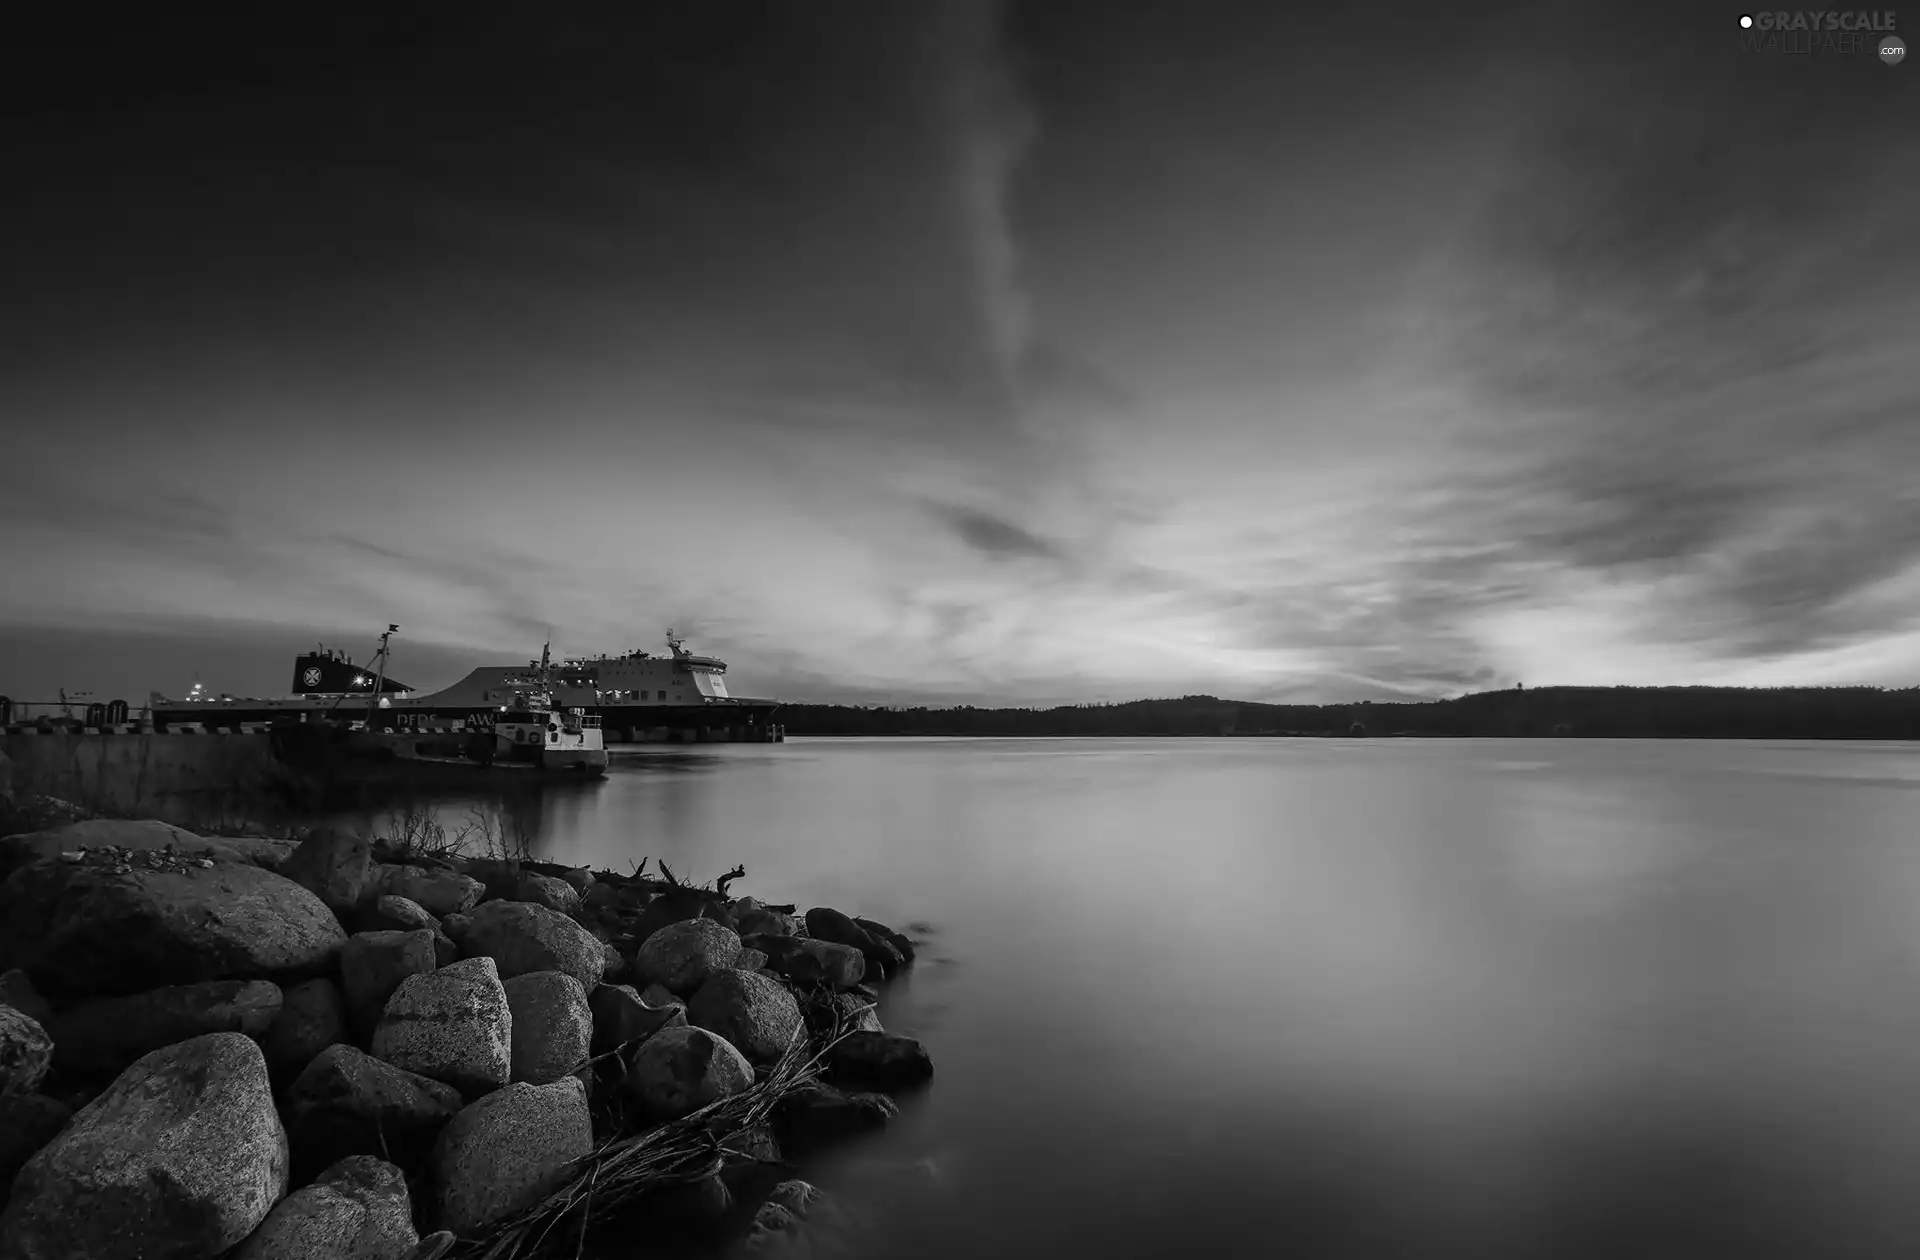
531, 735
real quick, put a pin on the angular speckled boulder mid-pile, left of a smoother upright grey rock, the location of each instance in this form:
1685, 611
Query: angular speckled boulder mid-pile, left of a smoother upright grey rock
452, 1025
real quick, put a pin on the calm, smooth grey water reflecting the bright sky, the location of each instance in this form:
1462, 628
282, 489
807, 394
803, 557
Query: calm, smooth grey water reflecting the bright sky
1353, 998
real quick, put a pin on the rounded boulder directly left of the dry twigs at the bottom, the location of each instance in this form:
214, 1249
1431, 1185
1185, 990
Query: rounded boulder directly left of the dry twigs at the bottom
508, 1151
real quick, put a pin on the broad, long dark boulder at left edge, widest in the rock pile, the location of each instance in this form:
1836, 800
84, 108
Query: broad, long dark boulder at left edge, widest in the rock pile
89, 931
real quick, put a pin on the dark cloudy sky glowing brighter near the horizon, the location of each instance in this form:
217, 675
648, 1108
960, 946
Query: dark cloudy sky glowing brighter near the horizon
963, 352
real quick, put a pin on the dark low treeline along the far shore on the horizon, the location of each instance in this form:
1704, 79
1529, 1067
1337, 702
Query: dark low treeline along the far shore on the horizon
1595, 714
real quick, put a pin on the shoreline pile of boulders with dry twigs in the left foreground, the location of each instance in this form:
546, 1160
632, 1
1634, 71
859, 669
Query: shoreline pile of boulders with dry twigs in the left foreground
339, 1048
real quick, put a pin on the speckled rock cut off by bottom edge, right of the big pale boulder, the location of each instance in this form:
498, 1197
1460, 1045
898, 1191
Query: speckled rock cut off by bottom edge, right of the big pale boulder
356, 1211
